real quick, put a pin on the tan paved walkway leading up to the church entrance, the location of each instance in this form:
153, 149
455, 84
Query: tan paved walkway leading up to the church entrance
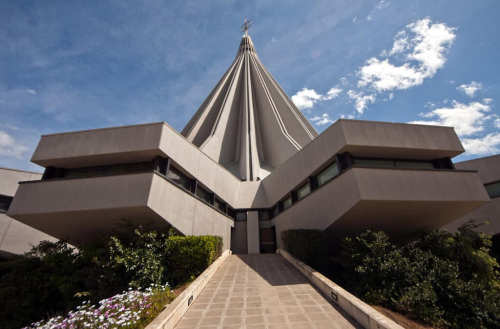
262, 291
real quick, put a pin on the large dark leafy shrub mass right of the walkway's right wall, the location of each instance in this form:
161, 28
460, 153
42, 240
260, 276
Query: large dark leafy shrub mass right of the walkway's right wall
443, 279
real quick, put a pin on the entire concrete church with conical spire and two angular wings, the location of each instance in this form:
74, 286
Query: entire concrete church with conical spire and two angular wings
247, 166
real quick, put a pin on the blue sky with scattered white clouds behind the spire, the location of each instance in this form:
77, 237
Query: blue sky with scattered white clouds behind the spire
68, 65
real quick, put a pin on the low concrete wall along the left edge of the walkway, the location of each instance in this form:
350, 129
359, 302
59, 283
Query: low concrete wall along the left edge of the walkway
176, 310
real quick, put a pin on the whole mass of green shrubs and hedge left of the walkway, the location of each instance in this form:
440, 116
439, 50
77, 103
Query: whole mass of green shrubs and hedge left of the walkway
53, 278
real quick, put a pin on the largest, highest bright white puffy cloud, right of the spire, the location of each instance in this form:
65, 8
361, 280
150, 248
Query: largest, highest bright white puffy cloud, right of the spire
427, 44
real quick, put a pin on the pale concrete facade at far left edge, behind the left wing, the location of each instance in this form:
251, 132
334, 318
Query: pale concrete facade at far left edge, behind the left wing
16, 238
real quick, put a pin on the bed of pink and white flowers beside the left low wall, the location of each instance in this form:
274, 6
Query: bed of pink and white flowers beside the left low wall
131, 309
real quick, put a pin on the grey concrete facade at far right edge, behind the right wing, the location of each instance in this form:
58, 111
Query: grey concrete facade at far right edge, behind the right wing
489, 172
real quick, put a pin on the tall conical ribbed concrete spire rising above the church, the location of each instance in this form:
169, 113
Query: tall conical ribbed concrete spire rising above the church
248, 123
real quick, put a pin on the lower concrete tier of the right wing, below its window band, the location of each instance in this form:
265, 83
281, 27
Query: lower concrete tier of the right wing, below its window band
407, 202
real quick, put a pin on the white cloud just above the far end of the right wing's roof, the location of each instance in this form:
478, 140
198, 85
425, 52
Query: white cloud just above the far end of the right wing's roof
467, 119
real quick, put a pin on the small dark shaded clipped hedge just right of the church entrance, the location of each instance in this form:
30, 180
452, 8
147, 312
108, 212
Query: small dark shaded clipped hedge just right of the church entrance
310, 246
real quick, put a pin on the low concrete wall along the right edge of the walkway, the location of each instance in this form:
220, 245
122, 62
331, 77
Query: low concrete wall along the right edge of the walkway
360, 311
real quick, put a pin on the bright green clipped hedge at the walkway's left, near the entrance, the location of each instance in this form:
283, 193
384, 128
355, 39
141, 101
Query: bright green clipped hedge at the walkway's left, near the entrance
186, 257
